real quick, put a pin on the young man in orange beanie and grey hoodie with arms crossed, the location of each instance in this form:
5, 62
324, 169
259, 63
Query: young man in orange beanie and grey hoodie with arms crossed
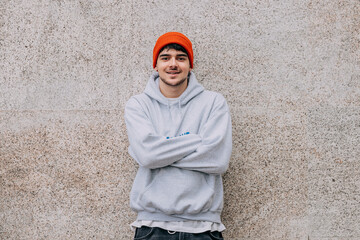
180, 135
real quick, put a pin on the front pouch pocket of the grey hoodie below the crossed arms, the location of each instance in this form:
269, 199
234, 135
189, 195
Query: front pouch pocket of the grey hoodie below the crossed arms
177, 191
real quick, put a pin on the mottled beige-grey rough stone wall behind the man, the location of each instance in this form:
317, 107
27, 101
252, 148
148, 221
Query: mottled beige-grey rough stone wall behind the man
290, 71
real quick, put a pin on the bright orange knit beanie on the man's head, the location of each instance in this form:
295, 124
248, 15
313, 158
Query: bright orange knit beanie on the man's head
173, 37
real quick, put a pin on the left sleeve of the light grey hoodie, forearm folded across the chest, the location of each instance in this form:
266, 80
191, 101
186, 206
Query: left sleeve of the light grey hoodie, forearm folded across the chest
150, 149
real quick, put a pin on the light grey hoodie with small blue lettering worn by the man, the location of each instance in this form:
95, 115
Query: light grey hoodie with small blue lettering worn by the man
182, 149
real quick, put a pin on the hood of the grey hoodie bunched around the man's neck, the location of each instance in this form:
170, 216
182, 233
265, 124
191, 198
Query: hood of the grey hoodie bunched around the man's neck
193, 89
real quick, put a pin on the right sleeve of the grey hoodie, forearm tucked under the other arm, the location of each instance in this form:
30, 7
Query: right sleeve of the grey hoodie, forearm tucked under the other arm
213, 155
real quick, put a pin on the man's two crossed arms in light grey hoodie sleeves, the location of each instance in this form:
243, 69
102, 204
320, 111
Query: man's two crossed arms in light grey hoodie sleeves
208, 151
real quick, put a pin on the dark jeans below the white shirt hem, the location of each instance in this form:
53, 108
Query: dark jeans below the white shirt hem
148, 233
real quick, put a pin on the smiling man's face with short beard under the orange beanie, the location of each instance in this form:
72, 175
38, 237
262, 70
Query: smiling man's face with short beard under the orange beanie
173, 67
